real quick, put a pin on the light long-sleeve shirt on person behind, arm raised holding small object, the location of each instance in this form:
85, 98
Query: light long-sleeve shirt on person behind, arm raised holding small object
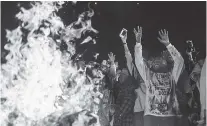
141, 90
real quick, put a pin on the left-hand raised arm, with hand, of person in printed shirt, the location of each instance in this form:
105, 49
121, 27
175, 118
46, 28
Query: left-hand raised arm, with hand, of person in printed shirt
139, 62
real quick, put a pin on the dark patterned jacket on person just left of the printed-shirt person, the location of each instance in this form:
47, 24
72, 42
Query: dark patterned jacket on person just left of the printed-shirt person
124, 102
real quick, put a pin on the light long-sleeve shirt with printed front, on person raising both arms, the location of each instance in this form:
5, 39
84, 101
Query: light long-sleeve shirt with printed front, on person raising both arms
161, 98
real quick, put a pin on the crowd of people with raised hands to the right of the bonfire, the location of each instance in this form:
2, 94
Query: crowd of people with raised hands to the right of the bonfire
158, 91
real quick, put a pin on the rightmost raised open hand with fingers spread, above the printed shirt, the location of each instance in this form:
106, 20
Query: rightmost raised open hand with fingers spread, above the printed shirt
163, 37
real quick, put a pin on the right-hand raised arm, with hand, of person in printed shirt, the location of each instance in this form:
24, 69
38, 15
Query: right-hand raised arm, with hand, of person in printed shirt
177, 58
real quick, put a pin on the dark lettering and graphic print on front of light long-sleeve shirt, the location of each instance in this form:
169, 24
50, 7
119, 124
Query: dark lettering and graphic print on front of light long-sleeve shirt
160, 94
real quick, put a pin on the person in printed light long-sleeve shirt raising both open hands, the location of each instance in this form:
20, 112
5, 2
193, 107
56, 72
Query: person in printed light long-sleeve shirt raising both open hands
161, 106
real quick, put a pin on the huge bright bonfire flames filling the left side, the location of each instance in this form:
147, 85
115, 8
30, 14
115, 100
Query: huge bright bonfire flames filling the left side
35, 78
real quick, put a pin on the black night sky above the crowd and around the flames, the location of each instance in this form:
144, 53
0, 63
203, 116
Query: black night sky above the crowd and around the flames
183, 20
